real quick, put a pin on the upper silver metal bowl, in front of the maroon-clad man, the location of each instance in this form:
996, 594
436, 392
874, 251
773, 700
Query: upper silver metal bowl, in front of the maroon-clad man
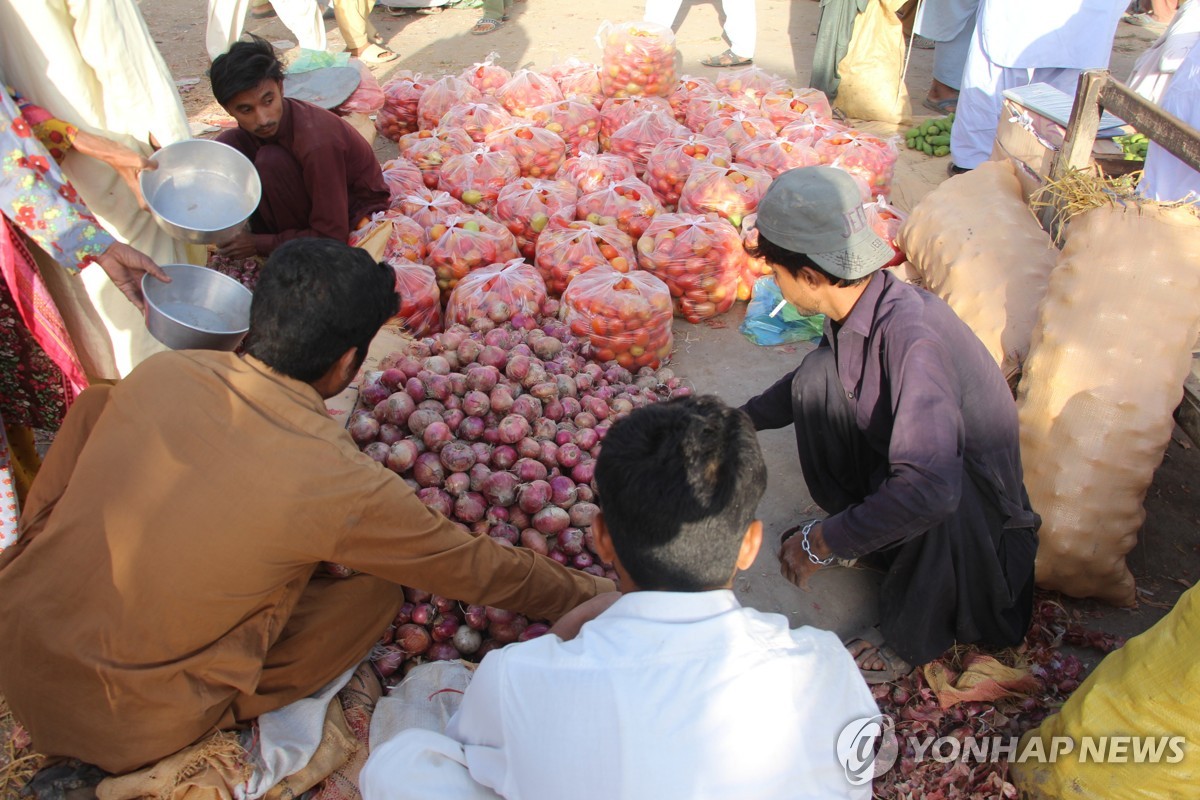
202, 193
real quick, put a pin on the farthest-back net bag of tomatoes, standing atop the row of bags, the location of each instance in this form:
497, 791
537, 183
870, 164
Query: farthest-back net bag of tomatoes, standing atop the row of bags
639, 59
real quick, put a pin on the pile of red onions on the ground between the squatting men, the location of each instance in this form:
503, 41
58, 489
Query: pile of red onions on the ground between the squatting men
497, 429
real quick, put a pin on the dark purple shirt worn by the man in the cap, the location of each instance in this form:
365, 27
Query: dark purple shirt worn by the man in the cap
928, 396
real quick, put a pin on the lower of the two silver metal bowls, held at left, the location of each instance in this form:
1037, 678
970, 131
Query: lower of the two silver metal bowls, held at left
200, 310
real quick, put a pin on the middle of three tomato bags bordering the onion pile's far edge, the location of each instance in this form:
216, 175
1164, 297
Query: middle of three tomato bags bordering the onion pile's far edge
497, 292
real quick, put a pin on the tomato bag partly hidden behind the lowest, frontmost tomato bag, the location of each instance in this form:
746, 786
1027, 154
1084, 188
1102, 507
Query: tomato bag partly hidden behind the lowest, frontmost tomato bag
569, 249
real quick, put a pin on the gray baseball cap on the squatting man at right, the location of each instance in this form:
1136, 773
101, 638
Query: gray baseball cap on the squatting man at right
819, 212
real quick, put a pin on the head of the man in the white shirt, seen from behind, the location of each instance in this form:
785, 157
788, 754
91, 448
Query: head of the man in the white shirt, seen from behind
679, 484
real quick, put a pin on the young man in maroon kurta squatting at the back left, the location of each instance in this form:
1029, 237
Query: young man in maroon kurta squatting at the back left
320, 177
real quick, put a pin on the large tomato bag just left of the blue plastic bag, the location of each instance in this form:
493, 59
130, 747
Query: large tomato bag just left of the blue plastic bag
699, 258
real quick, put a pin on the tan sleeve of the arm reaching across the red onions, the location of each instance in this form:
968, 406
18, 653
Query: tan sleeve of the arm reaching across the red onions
394, 537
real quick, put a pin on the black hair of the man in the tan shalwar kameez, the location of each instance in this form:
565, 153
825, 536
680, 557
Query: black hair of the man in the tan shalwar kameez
316, 299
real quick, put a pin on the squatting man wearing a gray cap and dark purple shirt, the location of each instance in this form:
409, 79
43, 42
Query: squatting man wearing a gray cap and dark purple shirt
907, 434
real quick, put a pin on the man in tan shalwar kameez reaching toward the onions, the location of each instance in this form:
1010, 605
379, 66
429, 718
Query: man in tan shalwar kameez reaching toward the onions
167, 584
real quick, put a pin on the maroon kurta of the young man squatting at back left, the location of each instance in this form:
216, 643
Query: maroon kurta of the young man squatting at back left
320, 177
